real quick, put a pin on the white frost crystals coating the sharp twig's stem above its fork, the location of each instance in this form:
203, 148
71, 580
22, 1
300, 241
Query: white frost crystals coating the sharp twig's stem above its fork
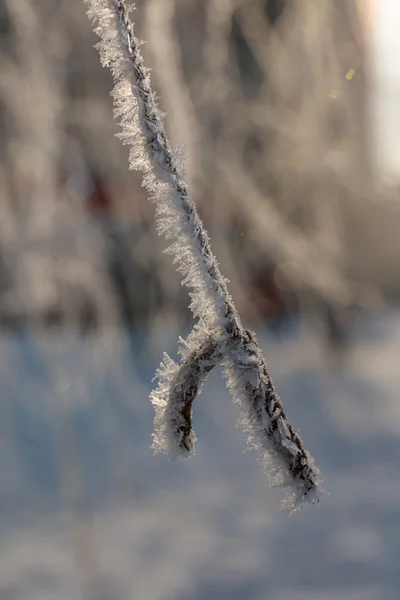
142, 128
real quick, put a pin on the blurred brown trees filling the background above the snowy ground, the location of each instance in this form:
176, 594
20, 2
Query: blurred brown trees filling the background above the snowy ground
272, 101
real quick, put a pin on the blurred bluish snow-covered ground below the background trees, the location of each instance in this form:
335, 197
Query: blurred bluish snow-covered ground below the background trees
85, 503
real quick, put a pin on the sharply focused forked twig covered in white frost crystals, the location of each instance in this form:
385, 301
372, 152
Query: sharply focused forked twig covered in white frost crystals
262, 415
